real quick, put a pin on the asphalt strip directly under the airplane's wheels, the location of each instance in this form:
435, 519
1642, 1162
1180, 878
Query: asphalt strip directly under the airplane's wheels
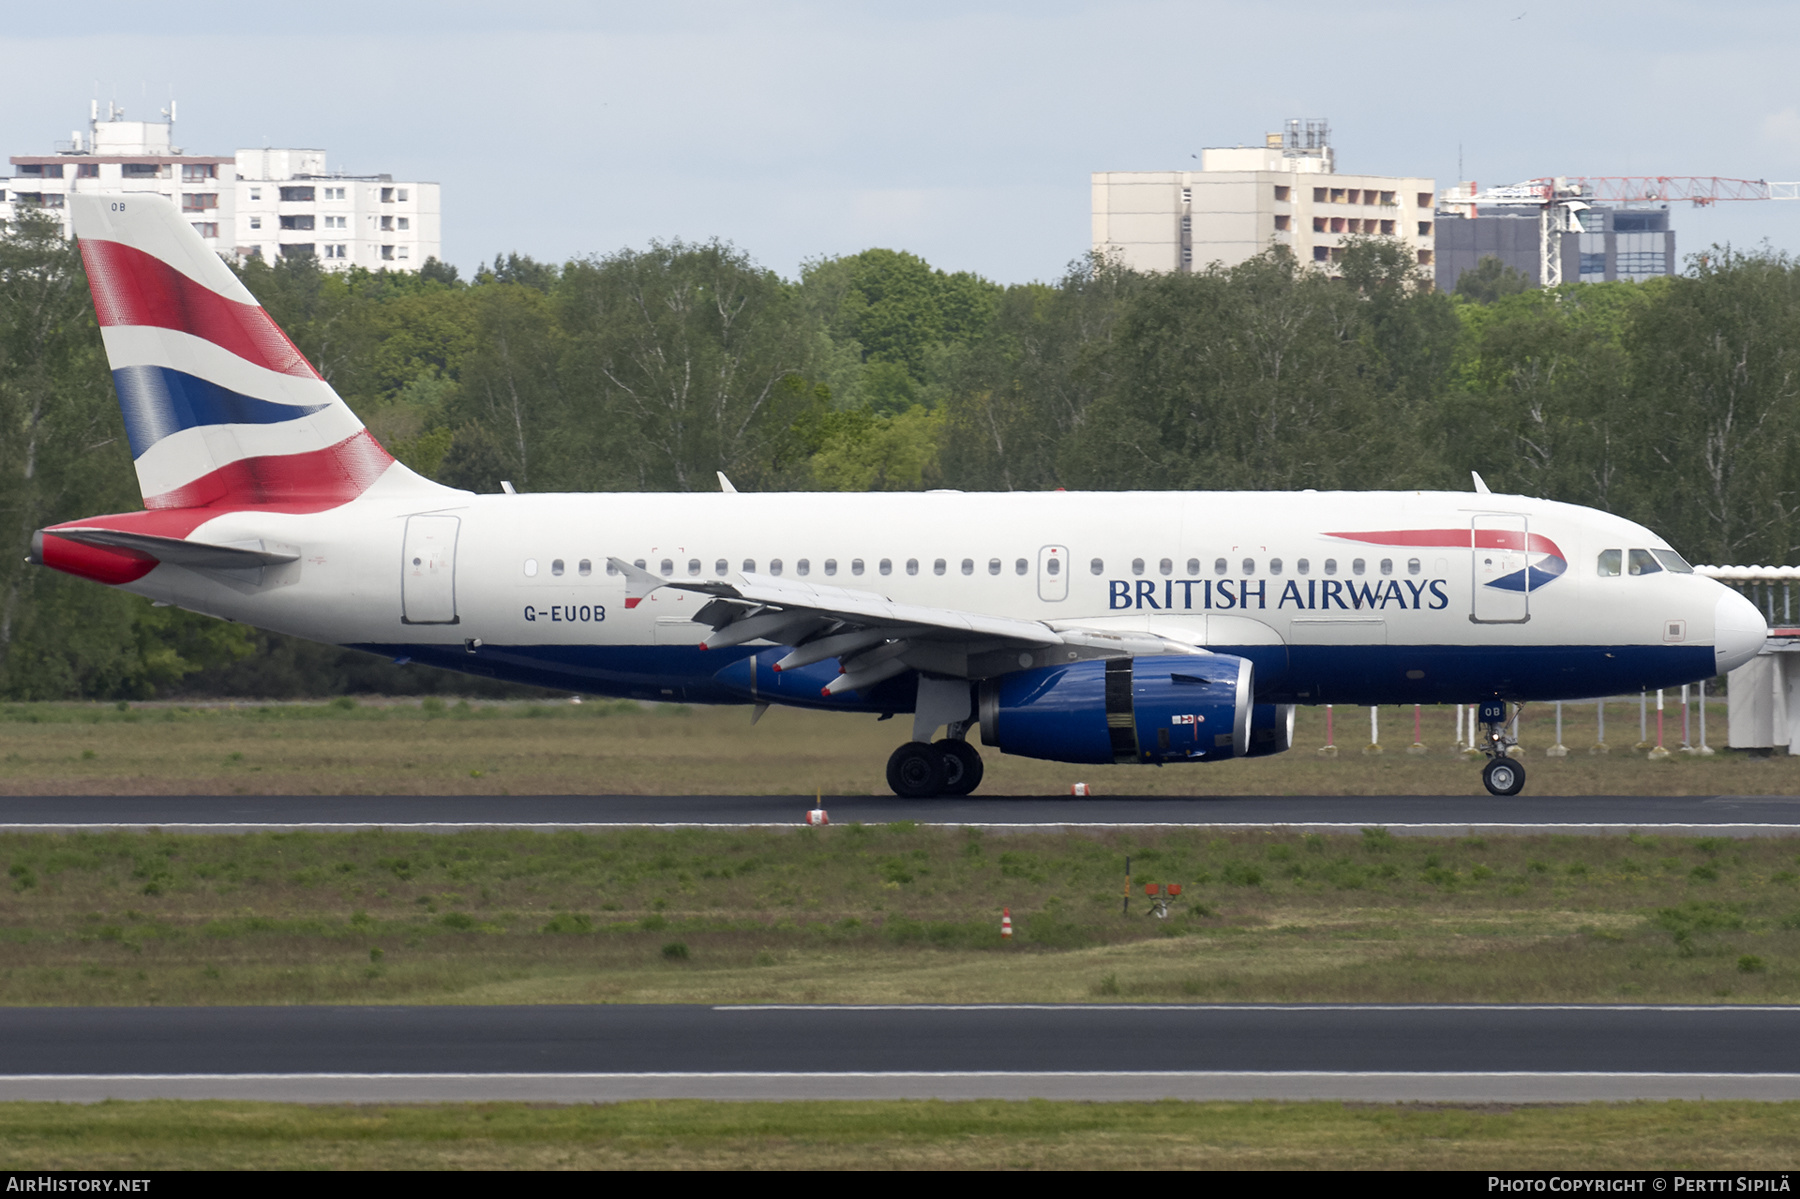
1741, 816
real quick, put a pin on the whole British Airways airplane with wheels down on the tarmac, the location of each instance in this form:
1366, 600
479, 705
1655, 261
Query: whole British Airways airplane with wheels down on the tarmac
1124, 627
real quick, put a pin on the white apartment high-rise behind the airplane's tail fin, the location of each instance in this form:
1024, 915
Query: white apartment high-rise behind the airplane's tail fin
255, 204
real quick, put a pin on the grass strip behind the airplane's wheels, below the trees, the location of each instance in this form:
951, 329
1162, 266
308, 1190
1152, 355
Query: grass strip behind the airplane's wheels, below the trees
620, 748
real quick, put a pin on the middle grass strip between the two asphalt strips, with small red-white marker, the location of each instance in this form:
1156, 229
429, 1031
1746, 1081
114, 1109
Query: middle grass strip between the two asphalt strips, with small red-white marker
890, 915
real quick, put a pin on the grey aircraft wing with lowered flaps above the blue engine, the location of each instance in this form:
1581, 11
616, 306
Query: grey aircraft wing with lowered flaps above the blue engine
877, 638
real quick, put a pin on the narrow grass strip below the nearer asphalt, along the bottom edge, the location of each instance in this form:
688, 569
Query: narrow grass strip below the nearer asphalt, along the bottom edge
901, 1135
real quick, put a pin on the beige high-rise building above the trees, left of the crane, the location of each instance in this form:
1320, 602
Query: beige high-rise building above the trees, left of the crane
1245, 201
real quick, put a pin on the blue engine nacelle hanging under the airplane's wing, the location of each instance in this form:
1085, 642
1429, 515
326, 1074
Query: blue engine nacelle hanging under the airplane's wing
1174, 708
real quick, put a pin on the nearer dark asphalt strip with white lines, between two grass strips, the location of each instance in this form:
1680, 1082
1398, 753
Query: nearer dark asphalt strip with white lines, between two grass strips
597, 1054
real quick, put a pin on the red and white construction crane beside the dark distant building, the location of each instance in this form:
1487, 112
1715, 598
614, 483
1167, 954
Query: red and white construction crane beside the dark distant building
1560, 203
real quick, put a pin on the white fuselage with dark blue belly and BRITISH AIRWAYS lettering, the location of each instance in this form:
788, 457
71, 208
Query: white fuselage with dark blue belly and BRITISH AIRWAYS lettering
1340, 597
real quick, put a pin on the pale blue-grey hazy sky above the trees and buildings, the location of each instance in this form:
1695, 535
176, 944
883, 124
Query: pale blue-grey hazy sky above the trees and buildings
960, 132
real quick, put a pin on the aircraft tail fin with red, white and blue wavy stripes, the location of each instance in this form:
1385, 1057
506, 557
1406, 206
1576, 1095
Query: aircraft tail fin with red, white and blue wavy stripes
220, 408
